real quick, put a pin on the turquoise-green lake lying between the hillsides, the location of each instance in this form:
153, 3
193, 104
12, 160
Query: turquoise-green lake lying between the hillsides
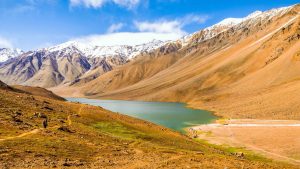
172, 115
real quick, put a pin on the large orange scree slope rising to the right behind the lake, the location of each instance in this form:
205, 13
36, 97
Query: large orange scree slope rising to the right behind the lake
259, 55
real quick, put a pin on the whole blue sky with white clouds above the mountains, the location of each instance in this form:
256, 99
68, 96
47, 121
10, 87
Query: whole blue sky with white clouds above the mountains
31, 24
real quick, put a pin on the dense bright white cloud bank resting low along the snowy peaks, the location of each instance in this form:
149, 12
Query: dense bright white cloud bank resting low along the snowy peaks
127, 38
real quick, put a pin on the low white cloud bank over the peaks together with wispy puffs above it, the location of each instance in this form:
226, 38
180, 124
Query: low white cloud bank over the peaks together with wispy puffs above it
147, 31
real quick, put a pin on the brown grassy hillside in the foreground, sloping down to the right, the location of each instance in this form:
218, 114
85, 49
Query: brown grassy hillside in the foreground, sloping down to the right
82, 136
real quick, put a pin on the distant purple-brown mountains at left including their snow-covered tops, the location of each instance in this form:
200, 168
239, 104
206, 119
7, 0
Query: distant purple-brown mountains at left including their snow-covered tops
68, 63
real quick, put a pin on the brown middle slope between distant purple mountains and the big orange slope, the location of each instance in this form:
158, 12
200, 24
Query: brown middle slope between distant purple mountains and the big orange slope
143, 67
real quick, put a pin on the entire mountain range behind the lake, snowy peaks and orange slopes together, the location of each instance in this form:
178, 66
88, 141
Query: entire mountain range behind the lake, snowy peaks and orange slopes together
239, 67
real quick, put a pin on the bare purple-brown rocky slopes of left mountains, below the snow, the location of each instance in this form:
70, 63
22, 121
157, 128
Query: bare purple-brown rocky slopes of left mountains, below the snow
52, 68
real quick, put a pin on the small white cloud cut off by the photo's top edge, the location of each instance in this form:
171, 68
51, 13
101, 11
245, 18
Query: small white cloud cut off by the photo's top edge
99, 3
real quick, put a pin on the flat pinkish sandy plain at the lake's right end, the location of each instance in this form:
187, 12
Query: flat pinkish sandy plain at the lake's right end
277, 139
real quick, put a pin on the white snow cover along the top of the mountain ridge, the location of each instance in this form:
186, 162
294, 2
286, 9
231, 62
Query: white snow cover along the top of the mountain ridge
128, 52
